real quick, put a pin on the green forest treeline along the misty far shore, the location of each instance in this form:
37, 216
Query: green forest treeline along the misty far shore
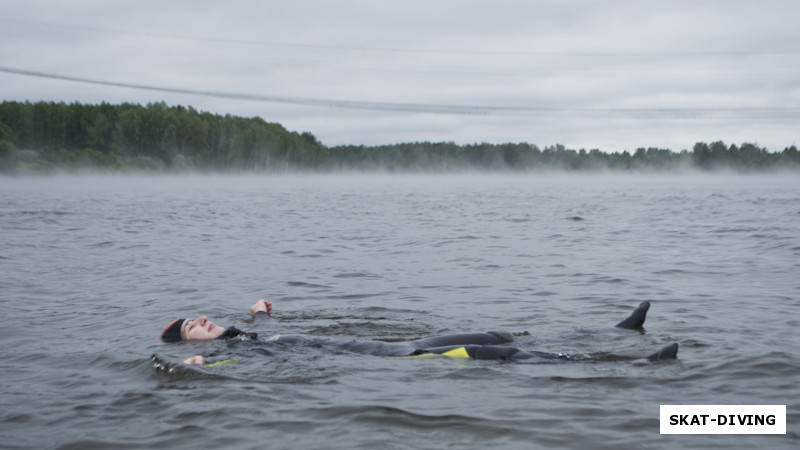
46, 137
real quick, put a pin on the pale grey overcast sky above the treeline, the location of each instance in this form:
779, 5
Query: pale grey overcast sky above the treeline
613, 75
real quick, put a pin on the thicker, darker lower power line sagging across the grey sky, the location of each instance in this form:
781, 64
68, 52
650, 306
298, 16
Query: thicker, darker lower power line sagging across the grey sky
685, 113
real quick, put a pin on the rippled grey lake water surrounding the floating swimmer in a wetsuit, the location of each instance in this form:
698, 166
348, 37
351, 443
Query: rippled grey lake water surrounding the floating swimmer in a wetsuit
94, 267
